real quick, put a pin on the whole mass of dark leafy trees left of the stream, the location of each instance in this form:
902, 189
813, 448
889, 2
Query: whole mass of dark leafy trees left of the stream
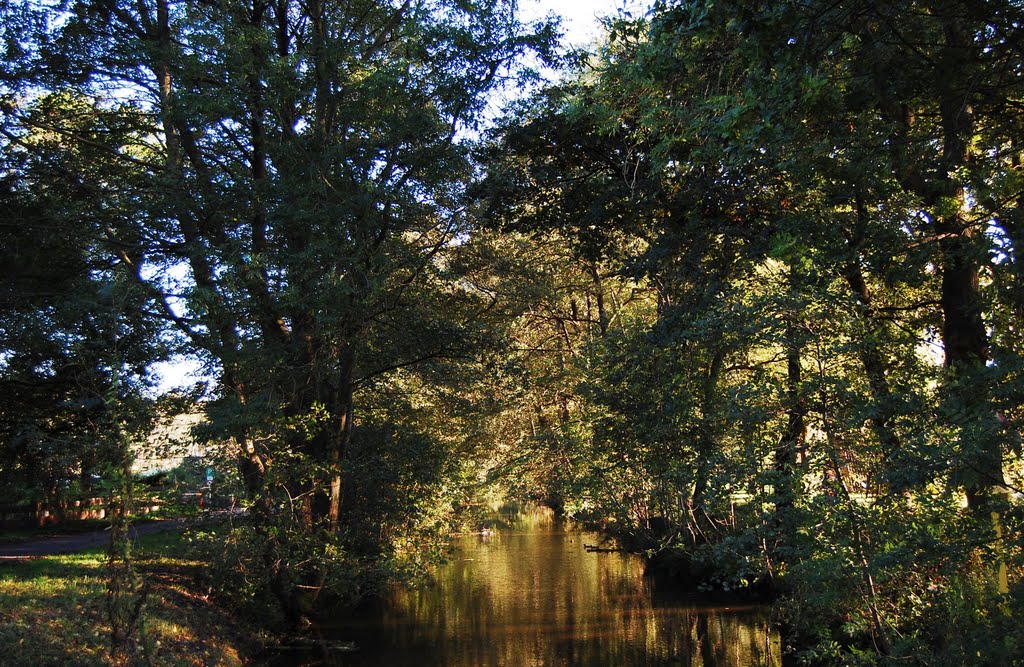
278, 186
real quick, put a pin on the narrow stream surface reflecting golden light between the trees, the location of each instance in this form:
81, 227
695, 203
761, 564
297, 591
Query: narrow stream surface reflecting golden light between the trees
535, 597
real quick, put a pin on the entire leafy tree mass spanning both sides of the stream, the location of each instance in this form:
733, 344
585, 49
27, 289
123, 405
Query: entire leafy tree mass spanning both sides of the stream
744, 287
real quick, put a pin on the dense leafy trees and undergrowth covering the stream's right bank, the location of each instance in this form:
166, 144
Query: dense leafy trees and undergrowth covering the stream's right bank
816, 385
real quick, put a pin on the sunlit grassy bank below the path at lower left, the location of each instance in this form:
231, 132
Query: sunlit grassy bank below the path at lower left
53, 610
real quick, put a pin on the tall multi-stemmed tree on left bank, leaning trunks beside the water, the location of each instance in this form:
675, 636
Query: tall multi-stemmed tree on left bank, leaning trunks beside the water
300, 171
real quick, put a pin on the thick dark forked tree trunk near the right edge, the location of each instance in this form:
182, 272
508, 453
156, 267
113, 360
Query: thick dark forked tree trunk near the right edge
964, 333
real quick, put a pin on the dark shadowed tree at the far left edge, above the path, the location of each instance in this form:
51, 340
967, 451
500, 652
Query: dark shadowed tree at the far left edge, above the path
64, 303
